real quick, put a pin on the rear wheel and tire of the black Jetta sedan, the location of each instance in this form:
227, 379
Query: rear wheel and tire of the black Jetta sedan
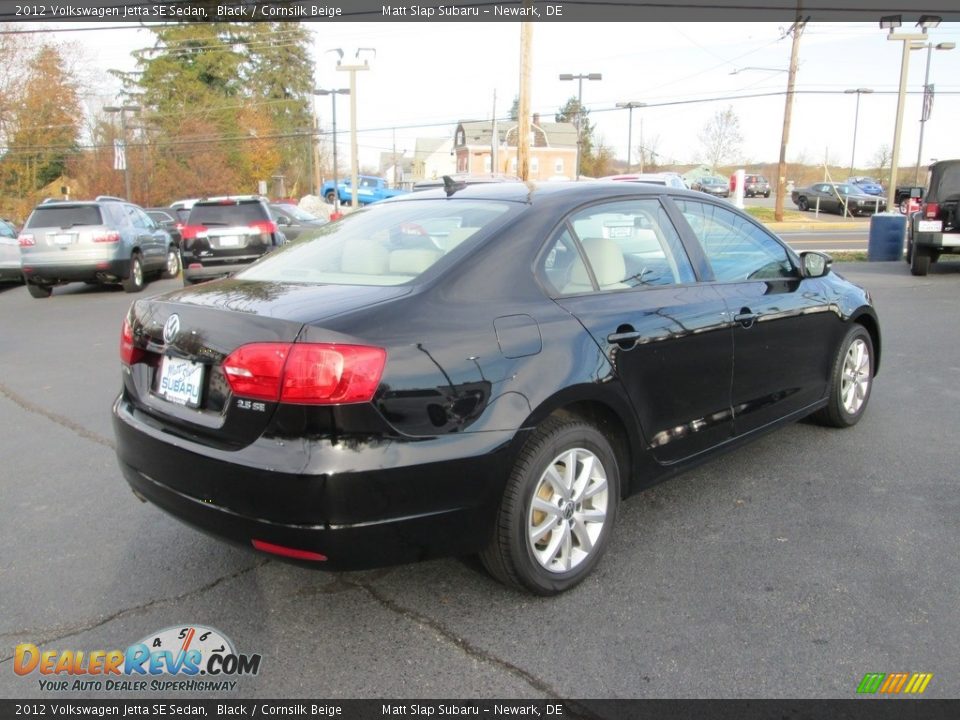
553, 525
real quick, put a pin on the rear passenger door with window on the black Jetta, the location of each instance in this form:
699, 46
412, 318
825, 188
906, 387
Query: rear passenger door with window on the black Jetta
622, 271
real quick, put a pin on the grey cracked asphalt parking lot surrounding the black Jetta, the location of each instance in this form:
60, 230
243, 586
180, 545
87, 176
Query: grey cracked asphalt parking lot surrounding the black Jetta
789, 568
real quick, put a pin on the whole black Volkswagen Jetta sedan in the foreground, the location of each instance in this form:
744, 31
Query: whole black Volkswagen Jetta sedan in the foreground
486, 369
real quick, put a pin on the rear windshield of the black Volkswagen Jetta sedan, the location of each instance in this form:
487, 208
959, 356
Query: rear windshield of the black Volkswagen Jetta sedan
382, 245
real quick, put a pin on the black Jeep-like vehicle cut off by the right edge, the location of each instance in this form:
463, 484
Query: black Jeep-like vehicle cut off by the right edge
935, 229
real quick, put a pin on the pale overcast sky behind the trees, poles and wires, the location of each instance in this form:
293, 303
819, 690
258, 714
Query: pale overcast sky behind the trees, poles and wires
426, 76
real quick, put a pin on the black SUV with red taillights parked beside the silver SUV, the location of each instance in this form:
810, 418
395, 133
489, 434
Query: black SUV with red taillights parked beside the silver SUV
223, 235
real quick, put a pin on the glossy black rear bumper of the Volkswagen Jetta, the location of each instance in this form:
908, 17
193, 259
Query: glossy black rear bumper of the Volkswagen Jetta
389, 502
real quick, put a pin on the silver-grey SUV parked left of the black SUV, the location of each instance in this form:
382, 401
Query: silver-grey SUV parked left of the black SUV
99, 241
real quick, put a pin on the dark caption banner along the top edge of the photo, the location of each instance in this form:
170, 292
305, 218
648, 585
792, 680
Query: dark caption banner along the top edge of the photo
153, 11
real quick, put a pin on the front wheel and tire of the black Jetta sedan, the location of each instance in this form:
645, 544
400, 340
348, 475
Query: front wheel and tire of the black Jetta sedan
850, 381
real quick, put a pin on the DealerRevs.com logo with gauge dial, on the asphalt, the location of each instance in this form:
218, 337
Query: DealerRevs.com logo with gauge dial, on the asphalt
187, 658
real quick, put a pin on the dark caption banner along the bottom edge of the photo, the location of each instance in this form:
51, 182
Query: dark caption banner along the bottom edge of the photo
852, 709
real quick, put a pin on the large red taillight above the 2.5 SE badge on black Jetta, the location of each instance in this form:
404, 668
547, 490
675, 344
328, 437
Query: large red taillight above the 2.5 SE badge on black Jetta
305, 373
